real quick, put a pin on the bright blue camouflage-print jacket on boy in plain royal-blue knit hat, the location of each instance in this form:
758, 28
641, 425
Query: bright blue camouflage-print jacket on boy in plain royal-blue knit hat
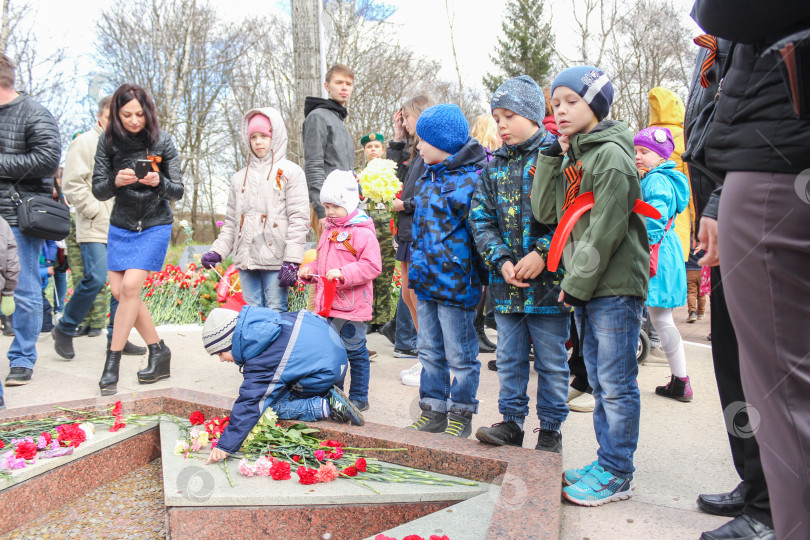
445, 267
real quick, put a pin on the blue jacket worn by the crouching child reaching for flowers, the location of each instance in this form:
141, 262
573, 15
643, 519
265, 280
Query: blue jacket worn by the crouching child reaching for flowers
296, 351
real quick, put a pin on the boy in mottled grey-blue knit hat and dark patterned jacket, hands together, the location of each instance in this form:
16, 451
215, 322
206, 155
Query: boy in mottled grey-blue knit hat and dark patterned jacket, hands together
525, 294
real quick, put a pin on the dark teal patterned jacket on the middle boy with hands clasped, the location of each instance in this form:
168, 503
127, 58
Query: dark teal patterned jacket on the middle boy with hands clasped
505, 230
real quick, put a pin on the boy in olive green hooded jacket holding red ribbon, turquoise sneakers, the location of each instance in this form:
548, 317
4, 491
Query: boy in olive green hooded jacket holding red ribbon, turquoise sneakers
591, 166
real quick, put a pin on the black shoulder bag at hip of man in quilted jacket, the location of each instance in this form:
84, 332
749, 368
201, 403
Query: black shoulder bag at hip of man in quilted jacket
39, 216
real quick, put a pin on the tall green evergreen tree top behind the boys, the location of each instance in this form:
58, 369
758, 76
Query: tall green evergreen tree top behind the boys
526, 46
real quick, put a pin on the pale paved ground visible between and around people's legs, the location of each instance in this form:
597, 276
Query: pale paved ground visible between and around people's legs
683, 448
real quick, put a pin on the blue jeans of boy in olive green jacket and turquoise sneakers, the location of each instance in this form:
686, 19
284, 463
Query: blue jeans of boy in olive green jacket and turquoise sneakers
610, 326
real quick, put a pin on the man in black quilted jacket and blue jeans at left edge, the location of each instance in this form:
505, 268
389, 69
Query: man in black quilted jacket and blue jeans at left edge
29, 154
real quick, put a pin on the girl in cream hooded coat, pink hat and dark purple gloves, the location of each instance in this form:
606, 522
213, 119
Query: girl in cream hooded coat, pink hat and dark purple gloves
268, 214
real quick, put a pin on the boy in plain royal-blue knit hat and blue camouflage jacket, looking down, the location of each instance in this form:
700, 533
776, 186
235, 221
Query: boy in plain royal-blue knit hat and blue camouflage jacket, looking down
445, 272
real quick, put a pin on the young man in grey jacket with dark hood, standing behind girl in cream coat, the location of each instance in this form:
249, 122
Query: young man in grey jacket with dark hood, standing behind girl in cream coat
328, 145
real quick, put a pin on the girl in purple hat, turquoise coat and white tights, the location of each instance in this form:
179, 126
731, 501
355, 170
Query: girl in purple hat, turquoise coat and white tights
667, 189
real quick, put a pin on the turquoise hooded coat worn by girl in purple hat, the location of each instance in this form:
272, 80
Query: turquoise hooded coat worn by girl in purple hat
667, 189
